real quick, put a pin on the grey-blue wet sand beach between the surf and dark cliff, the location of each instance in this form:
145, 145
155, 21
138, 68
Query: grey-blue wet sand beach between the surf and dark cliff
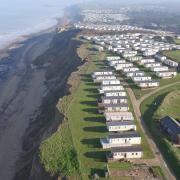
21, 95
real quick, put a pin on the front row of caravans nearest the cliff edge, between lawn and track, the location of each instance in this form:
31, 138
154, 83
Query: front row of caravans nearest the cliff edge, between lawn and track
123, 140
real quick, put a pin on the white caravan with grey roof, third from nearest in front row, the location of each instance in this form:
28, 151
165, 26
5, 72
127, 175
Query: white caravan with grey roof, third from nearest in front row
115, 126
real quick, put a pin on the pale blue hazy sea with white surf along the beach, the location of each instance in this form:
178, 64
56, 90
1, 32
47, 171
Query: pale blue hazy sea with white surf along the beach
24, 17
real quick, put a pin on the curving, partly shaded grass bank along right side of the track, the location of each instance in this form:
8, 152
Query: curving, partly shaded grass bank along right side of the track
148, 109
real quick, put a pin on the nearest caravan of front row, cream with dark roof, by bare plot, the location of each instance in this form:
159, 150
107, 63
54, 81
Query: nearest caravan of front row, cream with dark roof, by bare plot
126, 152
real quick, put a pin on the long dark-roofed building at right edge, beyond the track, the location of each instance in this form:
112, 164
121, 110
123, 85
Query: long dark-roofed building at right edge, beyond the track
172, 127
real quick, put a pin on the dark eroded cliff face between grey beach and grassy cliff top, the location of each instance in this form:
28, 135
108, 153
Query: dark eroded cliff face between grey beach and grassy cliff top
59, 61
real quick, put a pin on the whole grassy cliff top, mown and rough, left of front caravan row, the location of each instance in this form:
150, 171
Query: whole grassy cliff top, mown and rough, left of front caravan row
84, 125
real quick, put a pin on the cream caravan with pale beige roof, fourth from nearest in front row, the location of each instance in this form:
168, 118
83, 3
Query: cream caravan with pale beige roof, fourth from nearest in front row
119, 116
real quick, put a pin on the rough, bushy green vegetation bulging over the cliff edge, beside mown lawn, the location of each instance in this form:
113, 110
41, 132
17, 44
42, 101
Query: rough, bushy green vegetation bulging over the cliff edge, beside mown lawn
58, 155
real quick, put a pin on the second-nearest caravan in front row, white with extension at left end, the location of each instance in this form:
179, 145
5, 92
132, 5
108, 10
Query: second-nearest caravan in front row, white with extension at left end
121, 139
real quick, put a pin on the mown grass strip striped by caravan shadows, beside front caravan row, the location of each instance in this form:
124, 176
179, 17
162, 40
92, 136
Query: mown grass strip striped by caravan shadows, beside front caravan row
87, 126
